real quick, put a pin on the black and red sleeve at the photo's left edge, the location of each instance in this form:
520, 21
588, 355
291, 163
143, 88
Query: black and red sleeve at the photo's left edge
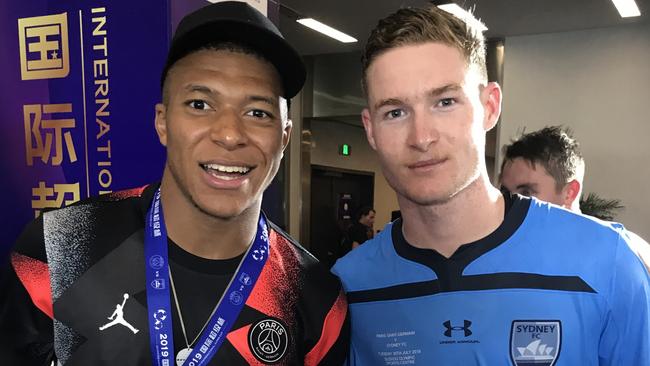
26, 327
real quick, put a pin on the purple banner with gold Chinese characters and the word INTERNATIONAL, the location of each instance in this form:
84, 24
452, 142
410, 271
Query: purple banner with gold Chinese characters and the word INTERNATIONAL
80, 83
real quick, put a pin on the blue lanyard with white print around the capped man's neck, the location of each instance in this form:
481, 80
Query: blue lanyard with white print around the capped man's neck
158, 293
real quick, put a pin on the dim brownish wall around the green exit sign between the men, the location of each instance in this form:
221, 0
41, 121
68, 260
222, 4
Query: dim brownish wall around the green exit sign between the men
327, 136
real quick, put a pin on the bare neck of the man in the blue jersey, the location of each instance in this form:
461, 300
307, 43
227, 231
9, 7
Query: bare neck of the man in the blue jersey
470, 215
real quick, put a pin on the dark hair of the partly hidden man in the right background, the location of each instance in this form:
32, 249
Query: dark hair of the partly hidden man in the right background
554, 148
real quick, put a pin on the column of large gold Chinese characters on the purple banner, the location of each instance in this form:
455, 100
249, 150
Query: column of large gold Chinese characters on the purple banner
45, 54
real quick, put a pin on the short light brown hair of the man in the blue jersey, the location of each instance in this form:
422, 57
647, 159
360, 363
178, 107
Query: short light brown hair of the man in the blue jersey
412, 26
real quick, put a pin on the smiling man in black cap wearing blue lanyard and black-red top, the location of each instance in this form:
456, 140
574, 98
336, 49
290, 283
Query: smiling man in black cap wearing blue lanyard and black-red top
188, 272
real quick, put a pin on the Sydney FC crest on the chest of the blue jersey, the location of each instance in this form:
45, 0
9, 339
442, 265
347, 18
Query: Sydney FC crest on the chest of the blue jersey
535, 342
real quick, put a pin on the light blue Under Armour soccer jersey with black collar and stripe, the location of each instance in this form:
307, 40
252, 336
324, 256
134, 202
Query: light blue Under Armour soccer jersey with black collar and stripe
548, 287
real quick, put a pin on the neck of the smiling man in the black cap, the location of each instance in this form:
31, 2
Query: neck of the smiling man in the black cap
200, 233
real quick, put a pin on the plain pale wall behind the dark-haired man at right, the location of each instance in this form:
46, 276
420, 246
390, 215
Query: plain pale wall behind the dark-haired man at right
597, 82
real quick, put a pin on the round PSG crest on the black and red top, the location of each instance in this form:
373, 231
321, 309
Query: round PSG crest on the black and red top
268, 340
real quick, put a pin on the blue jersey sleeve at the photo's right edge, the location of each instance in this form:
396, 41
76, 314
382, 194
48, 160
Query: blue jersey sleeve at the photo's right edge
626, 337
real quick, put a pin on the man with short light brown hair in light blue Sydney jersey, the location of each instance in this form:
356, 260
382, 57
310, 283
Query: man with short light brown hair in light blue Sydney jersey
470, 276
